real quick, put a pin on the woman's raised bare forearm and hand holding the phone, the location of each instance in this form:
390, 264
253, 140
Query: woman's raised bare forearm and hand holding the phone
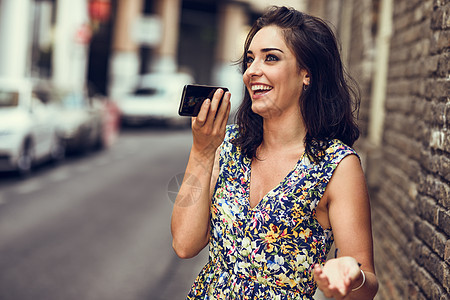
191, 211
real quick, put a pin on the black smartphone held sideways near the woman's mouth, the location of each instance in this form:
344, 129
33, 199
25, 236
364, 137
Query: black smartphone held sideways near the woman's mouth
193, 97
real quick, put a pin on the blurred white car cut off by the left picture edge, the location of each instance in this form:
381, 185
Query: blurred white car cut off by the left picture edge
28, 129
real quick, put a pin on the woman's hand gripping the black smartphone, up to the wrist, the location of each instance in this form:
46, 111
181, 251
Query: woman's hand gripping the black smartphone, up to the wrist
208, 128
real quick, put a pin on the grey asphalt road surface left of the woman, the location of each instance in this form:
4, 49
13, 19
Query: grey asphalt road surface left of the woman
97, 227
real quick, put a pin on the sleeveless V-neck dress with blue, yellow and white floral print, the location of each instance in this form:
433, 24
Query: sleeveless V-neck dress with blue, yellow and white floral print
268, 251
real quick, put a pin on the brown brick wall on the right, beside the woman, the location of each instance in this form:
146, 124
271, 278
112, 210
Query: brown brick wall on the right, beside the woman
409, 173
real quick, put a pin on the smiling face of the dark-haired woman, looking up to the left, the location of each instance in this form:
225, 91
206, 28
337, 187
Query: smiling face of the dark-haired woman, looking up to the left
273, 78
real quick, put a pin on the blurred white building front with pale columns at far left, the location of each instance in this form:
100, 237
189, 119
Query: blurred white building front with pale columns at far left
36, 40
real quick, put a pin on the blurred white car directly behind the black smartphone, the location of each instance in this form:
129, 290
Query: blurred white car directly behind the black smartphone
156, 98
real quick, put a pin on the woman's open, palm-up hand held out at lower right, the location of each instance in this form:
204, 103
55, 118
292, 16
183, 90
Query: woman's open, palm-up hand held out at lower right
338, 276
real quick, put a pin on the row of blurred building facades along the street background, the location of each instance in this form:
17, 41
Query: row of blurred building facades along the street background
106, 43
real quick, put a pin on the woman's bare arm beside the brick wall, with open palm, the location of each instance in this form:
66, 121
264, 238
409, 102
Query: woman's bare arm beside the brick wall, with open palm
349, 215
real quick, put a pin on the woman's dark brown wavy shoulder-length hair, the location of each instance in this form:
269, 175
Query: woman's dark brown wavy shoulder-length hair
329, 105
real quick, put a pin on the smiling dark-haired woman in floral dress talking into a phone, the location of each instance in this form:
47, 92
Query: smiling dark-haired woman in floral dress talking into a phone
272, 193
